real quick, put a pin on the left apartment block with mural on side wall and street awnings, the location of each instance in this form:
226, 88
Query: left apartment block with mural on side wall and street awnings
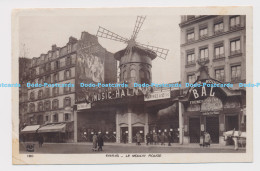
51, 107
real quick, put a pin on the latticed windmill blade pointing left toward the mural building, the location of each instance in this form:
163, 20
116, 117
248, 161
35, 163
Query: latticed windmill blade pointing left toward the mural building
104, 33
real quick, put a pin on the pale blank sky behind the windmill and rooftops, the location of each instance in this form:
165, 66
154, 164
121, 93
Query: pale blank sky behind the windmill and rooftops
39, 32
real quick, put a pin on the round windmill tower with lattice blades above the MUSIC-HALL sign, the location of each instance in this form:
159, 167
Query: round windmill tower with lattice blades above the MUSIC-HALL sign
135, 61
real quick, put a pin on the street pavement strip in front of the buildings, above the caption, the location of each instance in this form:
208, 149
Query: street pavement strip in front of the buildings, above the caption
79, 148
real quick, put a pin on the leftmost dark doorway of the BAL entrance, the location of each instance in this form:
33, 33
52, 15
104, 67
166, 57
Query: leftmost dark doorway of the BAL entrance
194, 130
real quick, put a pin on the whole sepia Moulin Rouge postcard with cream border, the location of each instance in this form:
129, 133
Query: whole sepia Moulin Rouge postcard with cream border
132, 85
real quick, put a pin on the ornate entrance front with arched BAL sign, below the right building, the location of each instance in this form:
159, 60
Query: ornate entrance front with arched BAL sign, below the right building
213, 110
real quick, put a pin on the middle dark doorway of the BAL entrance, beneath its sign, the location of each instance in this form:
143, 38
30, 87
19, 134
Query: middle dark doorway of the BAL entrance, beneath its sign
212, 127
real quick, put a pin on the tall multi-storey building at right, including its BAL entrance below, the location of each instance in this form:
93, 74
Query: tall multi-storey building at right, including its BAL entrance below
213, 50
